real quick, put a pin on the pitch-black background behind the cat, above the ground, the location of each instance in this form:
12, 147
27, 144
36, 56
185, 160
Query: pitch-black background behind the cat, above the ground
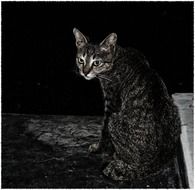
38, 50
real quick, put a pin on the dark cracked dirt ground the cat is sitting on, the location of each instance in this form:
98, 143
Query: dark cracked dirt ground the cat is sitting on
52, 152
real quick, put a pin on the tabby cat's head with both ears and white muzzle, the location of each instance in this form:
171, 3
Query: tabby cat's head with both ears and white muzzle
94, 60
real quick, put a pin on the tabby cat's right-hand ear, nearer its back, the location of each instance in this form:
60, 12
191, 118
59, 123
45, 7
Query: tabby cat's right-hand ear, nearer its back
109, 42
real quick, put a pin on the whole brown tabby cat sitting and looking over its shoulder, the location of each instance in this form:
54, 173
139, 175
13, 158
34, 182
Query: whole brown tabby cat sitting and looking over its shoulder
142, 126
